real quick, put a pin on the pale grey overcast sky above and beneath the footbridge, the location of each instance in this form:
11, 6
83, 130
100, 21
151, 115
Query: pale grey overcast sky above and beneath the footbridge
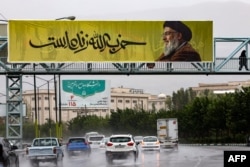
228, 17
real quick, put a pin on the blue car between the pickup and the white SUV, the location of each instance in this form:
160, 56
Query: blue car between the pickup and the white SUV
77, 146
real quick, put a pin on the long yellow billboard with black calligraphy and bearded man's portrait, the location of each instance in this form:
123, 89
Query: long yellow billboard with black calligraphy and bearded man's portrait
107, 41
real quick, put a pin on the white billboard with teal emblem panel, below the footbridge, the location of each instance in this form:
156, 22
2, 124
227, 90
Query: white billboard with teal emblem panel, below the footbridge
82, 94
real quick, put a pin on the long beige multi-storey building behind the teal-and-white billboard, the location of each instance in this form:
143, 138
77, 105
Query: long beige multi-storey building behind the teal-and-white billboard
121, 98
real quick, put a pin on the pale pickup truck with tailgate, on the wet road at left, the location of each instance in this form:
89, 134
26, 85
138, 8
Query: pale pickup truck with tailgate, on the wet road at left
47, 149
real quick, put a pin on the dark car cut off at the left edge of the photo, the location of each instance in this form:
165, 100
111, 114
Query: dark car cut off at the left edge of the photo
10, 157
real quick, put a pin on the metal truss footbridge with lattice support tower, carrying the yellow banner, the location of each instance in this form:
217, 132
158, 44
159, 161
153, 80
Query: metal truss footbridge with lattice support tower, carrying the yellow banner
226, 62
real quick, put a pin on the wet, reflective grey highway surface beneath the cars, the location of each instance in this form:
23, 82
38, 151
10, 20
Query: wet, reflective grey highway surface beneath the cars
184, 156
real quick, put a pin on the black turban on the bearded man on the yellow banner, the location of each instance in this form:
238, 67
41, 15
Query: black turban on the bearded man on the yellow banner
179, 27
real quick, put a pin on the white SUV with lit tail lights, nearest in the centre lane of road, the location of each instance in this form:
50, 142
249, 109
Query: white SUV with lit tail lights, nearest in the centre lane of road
121, 146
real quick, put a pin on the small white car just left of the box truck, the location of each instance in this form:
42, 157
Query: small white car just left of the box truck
150, 143
